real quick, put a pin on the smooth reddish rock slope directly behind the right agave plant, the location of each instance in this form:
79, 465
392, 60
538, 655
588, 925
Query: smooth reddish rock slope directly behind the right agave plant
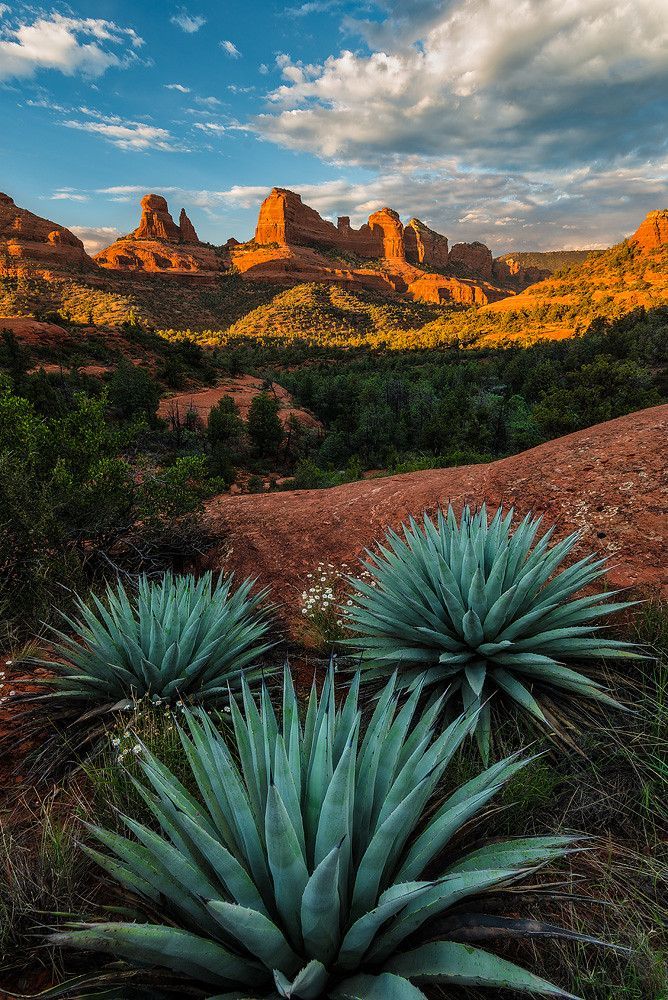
608, 481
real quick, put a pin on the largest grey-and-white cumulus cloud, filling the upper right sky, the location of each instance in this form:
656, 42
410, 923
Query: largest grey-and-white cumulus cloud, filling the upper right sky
492, 81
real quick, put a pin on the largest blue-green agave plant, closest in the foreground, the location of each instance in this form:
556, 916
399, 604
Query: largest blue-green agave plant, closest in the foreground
306, 864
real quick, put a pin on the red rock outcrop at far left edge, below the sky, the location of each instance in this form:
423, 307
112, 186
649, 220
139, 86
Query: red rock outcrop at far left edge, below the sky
31, 244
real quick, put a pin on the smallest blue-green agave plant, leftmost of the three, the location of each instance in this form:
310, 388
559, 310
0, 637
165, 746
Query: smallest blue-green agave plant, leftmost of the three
176, 638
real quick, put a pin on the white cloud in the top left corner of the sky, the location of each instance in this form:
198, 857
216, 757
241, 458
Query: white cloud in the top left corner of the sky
69, 45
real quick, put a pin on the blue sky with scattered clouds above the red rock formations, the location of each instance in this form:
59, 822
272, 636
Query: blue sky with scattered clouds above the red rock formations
526, 124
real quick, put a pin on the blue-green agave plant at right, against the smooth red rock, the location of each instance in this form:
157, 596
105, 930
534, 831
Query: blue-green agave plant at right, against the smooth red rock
478, 607
